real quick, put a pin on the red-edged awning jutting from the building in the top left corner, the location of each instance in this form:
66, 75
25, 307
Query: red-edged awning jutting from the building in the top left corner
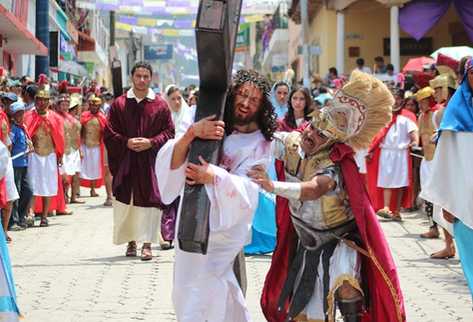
16, 36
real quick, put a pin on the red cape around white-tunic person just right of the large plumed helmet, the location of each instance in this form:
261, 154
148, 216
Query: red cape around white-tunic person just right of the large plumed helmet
375, 193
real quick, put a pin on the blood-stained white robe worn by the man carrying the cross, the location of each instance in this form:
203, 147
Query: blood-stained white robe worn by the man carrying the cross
205, 286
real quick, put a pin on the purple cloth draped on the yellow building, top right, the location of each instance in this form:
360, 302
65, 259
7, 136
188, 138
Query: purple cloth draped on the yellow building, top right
417, 17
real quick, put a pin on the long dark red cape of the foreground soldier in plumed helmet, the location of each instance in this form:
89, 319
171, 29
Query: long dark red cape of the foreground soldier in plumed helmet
379, 271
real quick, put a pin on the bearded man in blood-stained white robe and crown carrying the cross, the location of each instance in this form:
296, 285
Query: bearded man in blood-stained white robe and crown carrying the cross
205, 286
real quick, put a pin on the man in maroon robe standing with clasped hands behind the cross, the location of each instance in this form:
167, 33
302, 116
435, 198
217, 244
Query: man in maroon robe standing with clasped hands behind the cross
139, 124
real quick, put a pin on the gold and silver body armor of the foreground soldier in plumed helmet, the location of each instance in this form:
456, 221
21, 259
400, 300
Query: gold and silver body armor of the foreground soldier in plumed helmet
330, 210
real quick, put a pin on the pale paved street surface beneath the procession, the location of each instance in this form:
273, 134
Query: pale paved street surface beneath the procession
71, 272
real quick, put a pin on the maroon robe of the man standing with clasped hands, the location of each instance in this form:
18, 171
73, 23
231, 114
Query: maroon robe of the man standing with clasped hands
134, 171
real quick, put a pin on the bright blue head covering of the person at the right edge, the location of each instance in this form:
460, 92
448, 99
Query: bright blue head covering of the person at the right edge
458, 115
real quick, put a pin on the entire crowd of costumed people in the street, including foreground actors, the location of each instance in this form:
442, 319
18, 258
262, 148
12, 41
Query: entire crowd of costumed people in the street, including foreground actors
319, 164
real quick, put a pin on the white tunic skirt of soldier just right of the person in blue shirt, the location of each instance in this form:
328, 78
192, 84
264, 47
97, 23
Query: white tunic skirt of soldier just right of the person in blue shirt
42, 174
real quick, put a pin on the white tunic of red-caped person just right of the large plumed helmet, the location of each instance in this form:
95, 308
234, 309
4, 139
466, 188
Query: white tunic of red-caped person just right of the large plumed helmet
393, 171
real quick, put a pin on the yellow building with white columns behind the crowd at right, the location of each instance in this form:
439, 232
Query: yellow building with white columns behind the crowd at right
340, 31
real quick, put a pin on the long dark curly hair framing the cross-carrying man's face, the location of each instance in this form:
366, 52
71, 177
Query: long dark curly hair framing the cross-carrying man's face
266, 118
